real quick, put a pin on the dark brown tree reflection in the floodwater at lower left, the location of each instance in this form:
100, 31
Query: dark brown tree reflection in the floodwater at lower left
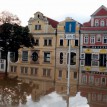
13, 93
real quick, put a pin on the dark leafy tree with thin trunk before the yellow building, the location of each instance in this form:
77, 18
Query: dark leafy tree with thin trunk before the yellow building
12, 37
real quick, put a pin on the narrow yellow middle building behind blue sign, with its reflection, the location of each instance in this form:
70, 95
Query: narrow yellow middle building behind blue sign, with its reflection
62, 59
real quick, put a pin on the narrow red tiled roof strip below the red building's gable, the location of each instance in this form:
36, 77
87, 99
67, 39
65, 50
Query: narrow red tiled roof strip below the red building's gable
94, 28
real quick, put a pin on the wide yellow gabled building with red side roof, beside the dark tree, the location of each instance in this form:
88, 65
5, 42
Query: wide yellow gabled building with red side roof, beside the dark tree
38, 63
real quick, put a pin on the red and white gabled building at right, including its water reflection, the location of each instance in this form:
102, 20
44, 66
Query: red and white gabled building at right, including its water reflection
93, 58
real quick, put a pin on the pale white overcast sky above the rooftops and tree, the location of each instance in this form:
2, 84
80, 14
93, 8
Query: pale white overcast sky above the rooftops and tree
79, 10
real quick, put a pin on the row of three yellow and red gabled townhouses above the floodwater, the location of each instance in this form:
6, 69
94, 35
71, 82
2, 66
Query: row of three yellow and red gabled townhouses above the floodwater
47, 62
